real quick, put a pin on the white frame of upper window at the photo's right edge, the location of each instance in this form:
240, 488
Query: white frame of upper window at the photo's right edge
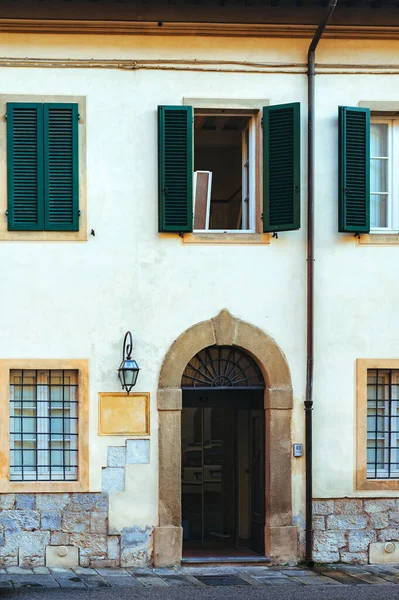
392, 175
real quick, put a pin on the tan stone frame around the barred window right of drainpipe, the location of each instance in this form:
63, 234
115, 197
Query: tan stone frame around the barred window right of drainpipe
361, 480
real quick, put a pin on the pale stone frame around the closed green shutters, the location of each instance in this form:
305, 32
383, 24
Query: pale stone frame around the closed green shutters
44, 235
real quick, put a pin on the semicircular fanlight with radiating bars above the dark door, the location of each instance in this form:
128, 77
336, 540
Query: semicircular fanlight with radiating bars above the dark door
222, 367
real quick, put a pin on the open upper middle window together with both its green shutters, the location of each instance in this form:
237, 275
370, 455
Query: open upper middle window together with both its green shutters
208, 162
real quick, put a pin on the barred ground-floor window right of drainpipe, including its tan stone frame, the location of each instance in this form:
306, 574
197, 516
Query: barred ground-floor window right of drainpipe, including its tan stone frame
377, 424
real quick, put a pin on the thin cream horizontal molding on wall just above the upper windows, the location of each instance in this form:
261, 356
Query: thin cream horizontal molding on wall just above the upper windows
222, 66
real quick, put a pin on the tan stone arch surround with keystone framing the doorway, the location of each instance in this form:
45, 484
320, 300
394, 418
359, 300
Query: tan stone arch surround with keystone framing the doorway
226, 330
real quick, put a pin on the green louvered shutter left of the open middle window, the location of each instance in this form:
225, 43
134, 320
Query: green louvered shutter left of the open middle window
175, 170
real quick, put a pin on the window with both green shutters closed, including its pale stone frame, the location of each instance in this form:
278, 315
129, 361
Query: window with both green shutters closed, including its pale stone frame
42, 180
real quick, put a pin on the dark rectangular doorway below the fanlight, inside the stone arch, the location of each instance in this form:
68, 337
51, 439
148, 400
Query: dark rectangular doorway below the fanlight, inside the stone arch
223, 470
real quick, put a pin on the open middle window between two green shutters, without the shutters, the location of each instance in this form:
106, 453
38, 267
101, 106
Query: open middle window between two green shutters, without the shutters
224, 171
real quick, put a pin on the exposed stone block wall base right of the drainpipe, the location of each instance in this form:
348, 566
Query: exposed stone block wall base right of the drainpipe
344, 528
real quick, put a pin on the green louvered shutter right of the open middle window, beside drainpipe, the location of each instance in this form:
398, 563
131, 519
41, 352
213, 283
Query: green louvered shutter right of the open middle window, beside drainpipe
281, 167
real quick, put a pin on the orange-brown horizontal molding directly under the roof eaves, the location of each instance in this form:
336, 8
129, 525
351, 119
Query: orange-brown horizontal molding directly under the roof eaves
203, 29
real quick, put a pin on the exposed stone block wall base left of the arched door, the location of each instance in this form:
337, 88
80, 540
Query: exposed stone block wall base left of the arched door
31, 522
